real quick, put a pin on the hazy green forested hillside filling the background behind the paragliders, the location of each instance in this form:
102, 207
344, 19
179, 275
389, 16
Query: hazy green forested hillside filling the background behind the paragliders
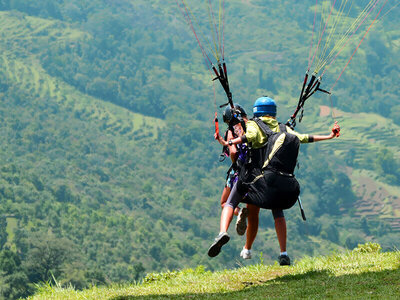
108, 166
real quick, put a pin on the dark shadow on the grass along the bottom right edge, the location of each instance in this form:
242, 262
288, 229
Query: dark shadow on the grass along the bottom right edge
310, 285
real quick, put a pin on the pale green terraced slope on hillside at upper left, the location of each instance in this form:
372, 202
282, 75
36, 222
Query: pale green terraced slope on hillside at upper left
20, 64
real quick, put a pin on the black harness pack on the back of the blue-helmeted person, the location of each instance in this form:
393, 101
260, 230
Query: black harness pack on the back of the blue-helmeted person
267, 179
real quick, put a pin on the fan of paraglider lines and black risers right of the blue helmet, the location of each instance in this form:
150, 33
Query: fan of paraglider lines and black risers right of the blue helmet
340, 25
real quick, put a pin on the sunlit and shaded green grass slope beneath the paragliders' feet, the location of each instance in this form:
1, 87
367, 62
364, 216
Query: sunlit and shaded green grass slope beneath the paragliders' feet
362, 273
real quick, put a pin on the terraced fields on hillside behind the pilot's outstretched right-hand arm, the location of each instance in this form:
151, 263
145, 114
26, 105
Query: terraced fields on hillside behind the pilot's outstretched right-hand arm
362, 137
